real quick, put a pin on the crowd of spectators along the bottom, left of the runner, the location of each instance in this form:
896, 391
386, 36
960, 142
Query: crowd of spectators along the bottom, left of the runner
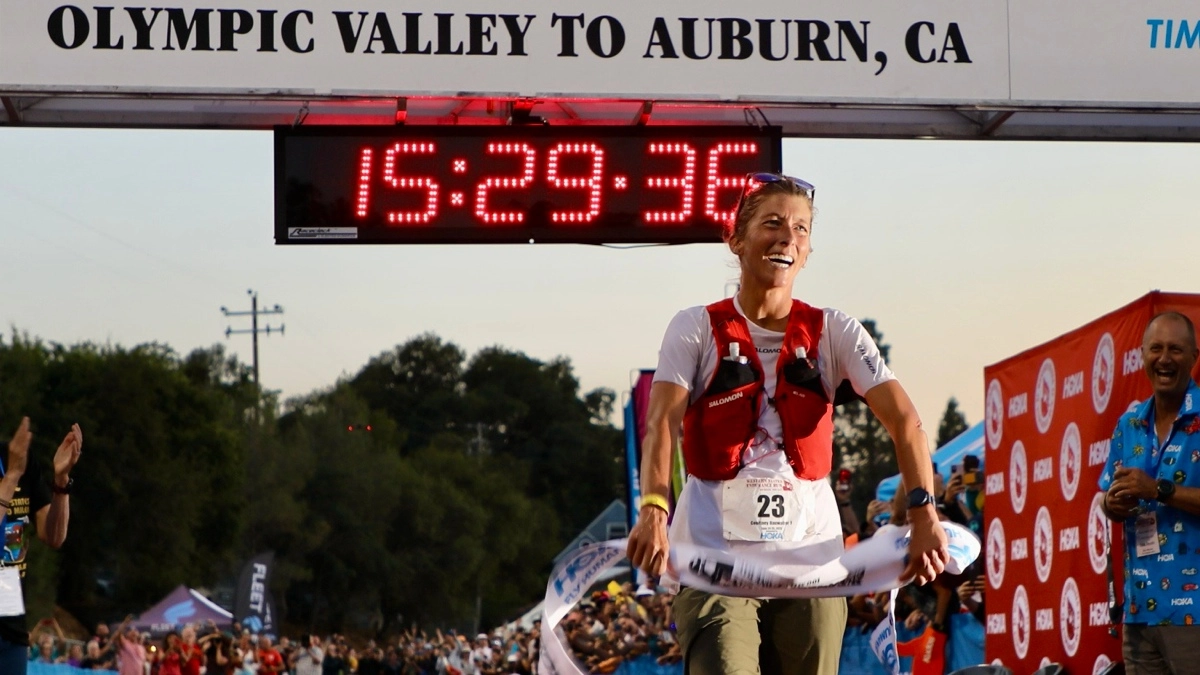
605, 630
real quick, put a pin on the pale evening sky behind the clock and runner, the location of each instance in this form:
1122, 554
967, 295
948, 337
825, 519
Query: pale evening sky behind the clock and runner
964, 253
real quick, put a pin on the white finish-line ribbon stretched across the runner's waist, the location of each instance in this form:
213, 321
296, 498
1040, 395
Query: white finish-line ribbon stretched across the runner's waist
872, 566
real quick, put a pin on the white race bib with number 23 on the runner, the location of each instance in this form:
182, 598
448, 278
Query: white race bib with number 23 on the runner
763, 510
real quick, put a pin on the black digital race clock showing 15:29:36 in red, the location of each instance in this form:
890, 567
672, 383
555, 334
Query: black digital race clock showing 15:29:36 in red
513, 184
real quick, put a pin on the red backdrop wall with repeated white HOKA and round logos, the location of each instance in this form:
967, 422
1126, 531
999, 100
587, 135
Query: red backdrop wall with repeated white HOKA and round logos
1051, 413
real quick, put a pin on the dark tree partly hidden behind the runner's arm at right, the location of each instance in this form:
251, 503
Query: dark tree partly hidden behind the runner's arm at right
862, 444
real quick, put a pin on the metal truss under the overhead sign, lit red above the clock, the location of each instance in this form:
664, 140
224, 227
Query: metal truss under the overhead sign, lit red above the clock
824, 120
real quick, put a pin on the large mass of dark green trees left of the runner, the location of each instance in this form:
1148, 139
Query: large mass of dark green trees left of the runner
472, 477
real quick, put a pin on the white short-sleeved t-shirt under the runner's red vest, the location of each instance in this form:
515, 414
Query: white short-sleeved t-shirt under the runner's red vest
688, 359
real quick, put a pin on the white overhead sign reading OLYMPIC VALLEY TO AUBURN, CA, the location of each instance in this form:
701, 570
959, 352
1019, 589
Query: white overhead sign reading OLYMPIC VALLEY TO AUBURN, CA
1016, 52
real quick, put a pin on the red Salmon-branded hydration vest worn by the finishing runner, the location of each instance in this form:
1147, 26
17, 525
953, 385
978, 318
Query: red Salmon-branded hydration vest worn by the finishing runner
721, 426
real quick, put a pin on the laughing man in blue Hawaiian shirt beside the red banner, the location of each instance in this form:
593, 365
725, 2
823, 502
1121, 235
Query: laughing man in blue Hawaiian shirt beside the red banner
1153, 486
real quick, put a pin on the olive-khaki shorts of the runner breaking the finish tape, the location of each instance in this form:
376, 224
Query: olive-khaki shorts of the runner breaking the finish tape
724, 636
